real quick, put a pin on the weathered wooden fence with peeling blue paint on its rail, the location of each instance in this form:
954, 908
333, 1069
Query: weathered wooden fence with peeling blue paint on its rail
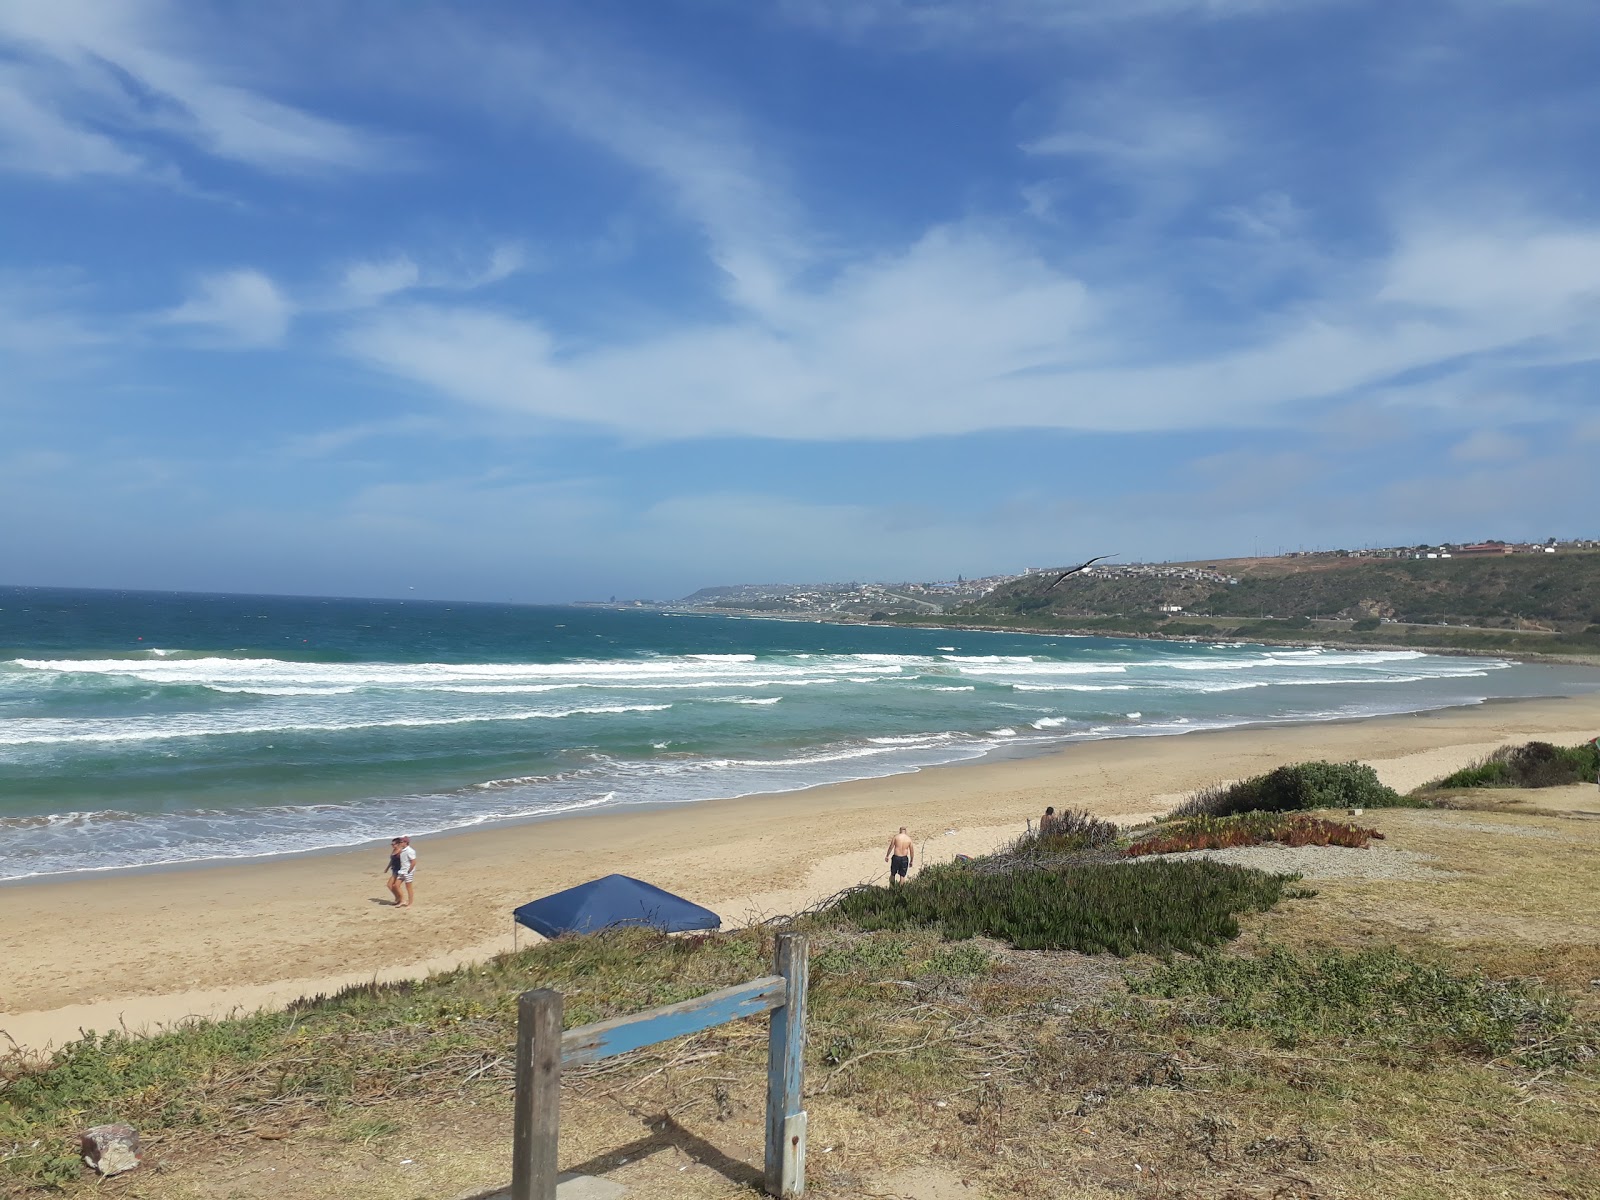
543, 1050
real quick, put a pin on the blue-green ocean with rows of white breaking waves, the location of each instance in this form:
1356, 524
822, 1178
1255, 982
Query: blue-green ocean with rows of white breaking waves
142, 729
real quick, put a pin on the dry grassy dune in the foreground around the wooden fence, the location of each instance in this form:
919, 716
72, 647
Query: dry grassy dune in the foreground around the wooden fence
1420, 1038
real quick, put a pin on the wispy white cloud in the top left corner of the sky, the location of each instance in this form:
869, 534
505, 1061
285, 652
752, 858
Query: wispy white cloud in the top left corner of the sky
95, 87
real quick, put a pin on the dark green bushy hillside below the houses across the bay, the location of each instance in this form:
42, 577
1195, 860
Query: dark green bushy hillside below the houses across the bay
1559, 591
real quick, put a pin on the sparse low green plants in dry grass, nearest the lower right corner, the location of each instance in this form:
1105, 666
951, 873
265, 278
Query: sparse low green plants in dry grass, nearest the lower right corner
1375, 999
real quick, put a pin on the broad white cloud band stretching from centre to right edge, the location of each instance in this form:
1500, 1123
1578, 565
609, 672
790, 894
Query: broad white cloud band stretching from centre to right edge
969, 330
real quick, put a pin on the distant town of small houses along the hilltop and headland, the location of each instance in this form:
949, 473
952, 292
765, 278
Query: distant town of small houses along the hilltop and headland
868, 599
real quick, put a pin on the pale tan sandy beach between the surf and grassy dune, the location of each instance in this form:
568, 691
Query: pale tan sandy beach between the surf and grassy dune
138, 950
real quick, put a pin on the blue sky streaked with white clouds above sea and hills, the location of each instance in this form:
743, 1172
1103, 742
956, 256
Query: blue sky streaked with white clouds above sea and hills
550, 300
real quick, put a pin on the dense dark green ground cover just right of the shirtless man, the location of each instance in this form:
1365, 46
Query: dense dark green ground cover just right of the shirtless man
1121, 910
